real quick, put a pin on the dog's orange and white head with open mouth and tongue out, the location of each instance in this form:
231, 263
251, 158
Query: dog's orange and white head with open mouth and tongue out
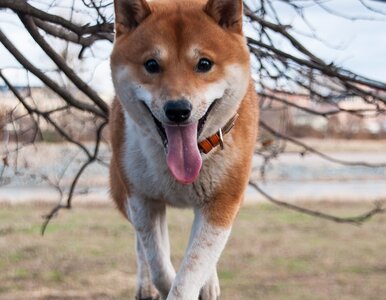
180, 68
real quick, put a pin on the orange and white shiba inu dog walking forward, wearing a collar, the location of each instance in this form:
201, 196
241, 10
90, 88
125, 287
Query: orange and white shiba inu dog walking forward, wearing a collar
183, 130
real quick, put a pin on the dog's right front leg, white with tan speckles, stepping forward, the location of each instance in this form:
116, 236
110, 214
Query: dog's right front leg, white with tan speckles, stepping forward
207, 242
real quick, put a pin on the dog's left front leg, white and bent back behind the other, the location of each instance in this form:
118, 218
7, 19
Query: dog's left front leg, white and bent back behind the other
149, 220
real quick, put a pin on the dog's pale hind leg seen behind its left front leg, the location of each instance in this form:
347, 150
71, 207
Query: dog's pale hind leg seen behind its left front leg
145, 287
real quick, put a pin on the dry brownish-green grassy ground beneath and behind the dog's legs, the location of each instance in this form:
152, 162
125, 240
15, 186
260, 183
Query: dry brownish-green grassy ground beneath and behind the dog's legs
273, 253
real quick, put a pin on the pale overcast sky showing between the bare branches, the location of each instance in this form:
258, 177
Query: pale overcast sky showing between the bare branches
359, 46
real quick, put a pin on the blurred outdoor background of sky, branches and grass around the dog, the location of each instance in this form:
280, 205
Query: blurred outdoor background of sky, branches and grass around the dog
319, 168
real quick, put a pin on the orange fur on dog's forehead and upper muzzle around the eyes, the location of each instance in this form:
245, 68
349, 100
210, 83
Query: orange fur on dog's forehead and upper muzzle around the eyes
165, 29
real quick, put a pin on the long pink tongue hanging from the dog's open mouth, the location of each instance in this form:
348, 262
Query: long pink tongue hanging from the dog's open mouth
183, 158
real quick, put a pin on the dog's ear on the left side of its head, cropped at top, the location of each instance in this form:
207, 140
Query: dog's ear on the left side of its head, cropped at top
129, 14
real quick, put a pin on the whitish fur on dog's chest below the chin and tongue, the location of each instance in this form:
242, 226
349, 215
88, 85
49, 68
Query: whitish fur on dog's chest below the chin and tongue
145, 166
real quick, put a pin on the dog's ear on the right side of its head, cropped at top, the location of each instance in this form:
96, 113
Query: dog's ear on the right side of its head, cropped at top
227, 13
